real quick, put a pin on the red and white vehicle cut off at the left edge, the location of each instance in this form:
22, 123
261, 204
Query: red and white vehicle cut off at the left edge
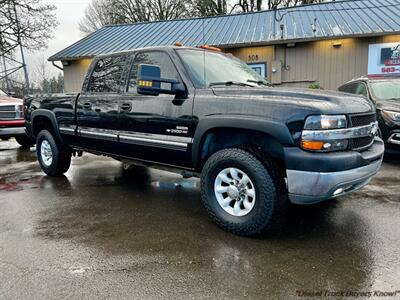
12, 123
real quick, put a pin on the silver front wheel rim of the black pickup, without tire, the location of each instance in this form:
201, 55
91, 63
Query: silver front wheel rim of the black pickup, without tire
235, 192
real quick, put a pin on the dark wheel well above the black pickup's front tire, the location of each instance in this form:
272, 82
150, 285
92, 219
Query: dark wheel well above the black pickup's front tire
264, 146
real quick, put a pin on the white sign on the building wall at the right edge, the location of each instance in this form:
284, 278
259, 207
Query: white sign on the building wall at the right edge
384, 59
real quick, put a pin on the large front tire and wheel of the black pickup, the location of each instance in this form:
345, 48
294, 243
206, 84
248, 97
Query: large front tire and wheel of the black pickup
240, 194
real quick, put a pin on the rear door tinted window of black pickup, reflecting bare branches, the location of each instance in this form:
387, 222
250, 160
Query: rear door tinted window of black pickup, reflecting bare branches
106, 76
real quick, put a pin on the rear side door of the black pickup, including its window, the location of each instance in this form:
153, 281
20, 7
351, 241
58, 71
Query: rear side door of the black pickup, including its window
98, 105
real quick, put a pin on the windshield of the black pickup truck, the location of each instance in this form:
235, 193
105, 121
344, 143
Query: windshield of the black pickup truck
220, 69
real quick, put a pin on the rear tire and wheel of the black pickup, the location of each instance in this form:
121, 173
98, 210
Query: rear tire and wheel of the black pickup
53, 158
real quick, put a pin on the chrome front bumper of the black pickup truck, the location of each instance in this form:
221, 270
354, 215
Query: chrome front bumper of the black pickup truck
308, 187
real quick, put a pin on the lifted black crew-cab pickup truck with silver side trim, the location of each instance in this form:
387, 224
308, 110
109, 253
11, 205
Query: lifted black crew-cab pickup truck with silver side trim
207, 114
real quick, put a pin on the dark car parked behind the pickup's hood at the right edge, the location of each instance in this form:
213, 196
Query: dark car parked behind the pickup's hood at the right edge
385, 94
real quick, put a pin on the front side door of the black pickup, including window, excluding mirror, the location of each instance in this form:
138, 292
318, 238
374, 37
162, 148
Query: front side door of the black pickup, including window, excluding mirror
156, 128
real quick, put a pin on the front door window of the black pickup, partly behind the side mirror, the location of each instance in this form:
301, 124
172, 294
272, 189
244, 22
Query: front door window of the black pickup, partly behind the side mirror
160, 59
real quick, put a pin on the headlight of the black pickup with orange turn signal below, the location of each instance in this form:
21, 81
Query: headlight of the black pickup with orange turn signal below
324, 123
